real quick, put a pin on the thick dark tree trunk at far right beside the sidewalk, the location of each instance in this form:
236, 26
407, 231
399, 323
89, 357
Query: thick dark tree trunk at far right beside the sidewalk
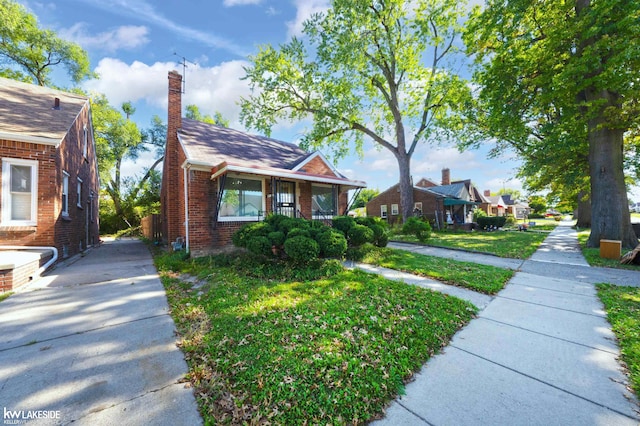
609, 203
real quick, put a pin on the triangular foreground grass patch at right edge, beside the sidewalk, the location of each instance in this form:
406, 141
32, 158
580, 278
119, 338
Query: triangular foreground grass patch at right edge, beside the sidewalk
623, 312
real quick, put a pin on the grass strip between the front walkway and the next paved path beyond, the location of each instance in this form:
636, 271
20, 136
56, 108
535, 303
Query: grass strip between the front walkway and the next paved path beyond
482, 278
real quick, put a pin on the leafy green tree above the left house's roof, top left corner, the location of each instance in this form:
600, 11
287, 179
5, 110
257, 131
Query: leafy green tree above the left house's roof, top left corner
29, 53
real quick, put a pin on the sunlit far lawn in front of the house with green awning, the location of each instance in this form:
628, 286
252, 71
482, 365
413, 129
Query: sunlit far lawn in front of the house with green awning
516, 245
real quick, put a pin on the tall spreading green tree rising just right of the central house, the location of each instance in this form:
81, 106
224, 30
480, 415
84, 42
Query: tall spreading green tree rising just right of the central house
375, 69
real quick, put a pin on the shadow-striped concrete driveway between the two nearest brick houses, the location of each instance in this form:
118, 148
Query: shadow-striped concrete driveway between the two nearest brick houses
93, 343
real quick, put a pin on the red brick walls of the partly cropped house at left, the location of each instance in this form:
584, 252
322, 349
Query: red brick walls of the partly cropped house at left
52, 229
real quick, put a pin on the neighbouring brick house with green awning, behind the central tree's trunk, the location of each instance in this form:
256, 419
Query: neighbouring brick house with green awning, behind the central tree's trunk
450, 202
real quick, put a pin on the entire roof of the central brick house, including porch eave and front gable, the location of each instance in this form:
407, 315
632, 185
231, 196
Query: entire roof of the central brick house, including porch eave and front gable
221, 150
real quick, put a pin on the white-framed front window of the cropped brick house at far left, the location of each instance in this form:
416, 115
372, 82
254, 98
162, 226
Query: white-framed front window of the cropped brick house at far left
19, 192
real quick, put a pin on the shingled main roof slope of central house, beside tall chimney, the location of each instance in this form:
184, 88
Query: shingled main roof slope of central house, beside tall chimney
209, 144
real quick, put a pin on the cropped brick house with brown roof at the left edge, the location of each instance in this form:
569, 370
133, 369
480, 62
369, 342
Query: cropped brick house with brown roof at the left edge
49, 181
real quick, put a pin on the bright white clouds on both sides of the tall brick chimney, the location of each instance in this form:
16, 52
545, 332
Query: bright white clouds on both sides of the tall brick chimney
213, 89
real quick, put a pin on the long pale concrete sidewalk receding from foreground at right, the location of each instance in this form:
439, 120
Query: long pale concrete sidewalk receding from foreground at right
540, 353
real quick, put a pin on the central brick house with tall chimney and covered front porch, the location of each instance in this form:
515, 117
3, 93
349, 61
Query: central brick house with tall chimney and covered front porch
216, 179
